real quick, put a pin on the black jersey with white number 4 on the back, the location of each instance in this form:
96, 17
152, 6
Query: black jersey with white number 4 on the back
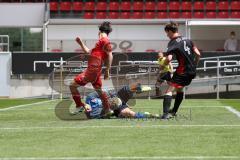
182, 48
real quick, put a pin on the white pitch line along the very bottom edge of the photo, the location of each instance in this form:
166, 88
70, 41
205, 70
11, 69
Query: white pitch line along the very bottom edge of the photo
119, 158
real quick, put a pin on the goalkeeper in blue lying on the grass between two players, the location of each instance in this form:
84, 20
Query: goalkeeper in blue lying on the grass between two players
118, 103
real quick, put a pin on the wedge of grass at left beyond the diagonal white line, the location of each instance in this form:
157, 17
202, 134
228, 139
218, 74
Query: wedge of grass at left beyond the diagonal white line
4, 103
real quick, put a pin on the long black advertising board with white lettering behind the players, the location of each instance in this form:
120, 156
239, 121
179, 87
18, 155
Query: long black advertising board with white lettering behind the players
43, 63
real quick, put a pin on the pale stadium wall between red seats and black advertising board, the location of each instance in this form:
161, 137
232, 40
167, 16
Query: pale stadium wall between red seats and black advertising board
142, 37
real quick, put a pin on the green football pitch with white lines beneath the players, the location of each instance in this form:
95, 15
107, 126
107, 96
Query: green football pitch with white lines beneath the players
204, 129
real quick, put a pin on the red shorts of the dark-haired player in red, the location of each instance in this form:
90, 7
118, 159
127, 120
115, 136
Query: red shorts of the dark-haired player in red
89, 76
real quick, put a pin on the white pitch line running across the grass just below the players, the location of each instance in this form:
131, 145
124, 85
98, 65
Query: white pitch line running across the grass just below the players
128, 126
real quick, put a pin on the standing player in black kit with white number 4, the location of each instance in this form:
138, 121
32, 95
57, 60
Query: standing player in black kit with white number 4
188, 57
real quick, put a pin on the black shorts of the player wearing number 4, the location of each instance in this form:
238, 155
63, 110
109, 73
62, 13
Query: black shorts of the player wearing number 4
181, 80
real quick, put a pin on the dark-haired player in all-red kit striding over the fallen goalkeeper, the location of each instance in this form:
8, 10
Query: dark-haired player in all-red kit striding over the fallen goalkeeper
99, 55
